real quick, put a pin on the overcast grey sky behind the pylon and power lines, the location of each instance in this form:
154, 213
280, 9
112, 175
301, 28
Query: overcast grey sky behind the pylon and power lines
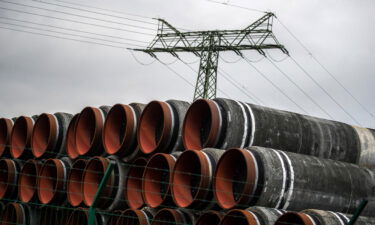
45, 74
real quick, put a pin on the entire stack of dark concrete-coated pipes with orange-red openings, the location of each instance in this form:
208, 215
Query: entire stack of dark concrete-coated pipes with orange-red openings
214, 161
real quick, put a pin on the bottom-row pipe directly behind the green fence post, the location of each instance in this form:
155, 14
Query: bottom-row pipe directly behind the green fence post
80, 216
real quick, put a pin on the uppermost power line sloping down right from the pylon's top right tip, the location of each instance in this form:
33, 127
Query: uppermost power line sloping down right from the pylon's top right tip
326, 70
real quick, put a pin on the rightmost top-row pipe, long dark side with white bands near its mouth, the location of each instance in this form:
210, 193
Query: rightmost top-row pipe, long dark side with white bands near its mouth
223, 123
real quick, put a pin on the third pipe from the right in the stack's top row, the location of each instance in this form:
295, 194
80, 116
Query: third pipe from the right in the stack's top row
120, 131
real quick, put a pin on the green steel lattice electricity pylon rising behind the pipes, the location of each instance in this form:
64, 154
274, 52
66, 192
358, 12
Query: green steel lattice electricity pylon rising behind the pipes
207, 45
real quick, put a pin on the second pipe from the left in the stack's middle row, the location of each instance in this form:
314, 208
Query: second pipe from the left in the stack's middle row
27, 182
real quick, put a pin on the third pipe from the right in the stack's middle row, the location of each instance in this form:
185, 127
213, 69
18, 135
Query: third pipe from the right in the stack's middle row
156, 184
